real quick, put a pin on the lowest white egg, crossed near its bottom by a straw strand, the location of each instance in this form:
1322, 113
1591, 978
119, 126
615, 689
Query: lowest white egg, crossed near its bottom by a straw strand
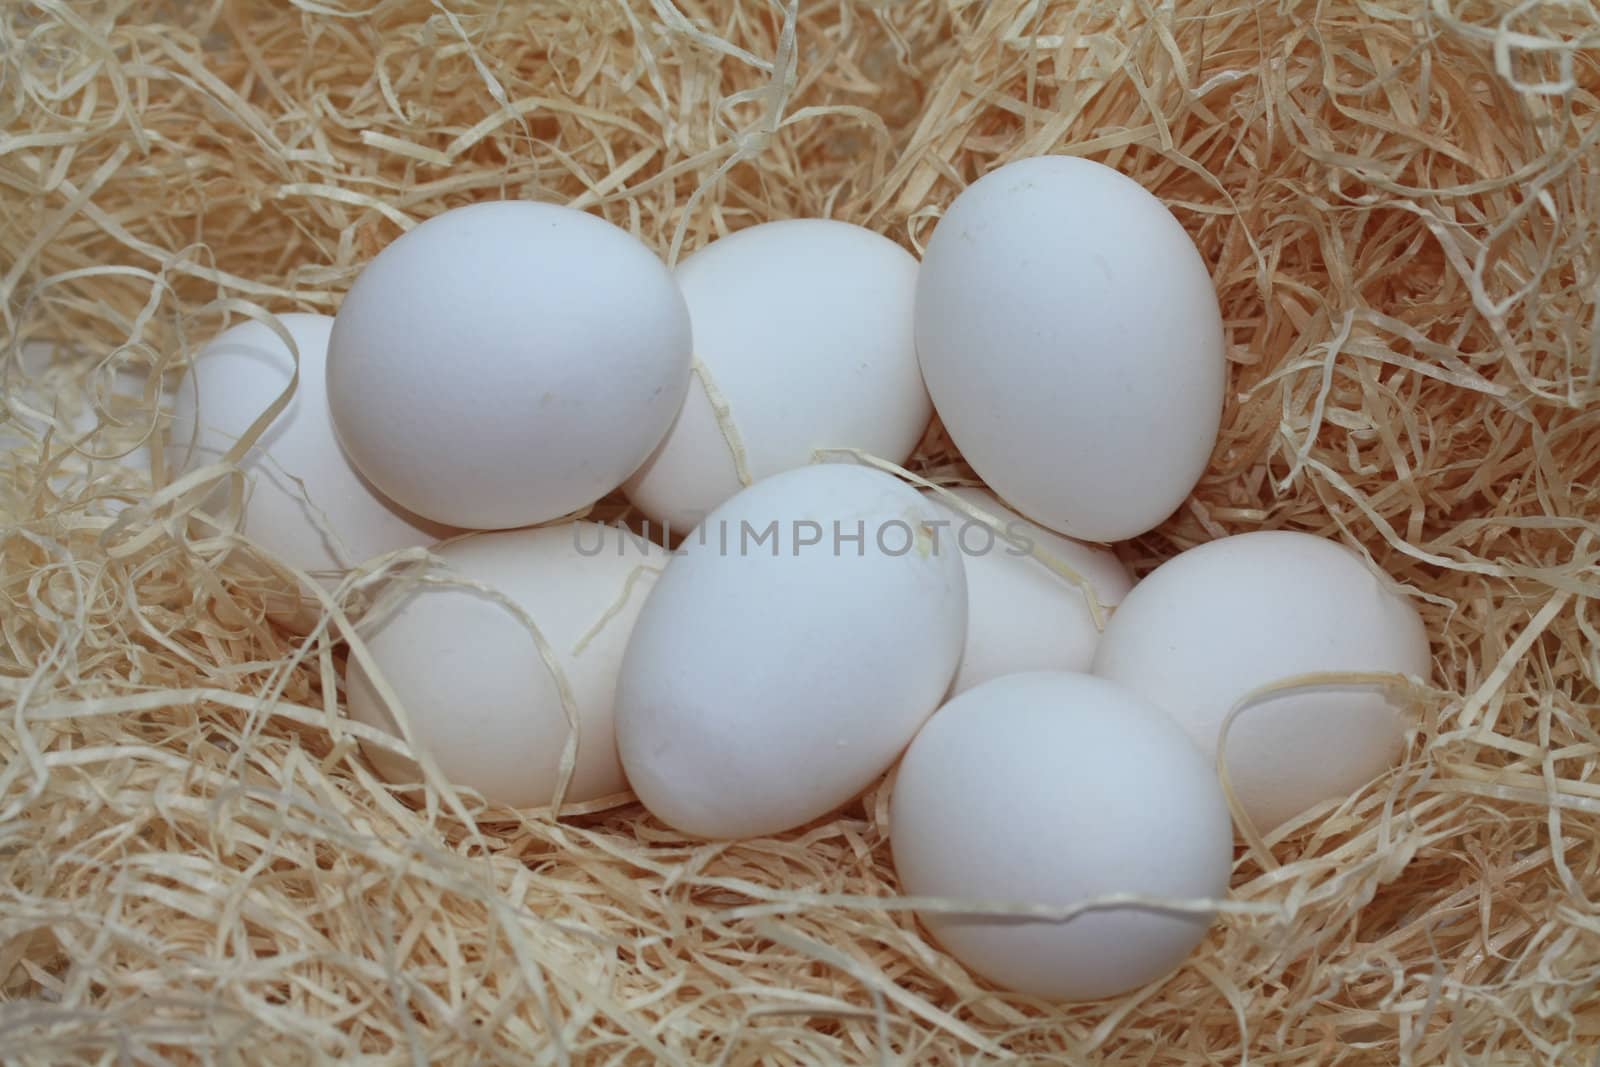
1055, 789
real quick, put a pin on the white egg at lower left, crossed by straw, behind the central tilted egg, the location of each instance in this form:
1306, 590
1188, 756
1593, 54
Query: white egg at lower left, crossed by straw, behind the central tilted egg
468, 673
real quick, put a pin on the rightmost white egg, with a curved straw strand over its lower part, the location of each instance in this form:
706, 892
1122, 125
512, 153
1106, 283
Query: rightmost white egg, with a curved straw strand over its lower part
1234, 615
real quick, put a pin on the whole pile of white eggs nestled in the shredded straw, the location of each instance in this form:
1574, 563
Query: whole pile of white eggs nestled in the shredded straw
510, 364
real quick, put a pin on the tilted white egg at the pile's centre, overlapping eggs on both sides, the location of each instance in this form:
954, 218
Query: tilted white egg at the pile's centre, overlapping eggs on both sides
788, 655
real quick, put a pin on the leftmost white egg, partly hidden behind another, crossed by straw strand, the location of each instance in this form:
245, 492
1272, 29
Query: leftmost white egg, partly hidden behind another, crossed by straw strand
306, 503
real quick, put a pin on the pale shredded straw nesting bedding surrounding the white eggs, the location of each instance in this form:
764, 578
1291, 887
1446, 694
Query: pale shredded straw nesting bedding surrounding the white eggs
1401, 207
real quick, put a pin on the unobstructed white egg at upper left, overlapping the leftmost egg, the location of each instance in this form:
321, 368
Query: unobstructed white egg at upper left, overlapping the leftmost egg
508, 364
